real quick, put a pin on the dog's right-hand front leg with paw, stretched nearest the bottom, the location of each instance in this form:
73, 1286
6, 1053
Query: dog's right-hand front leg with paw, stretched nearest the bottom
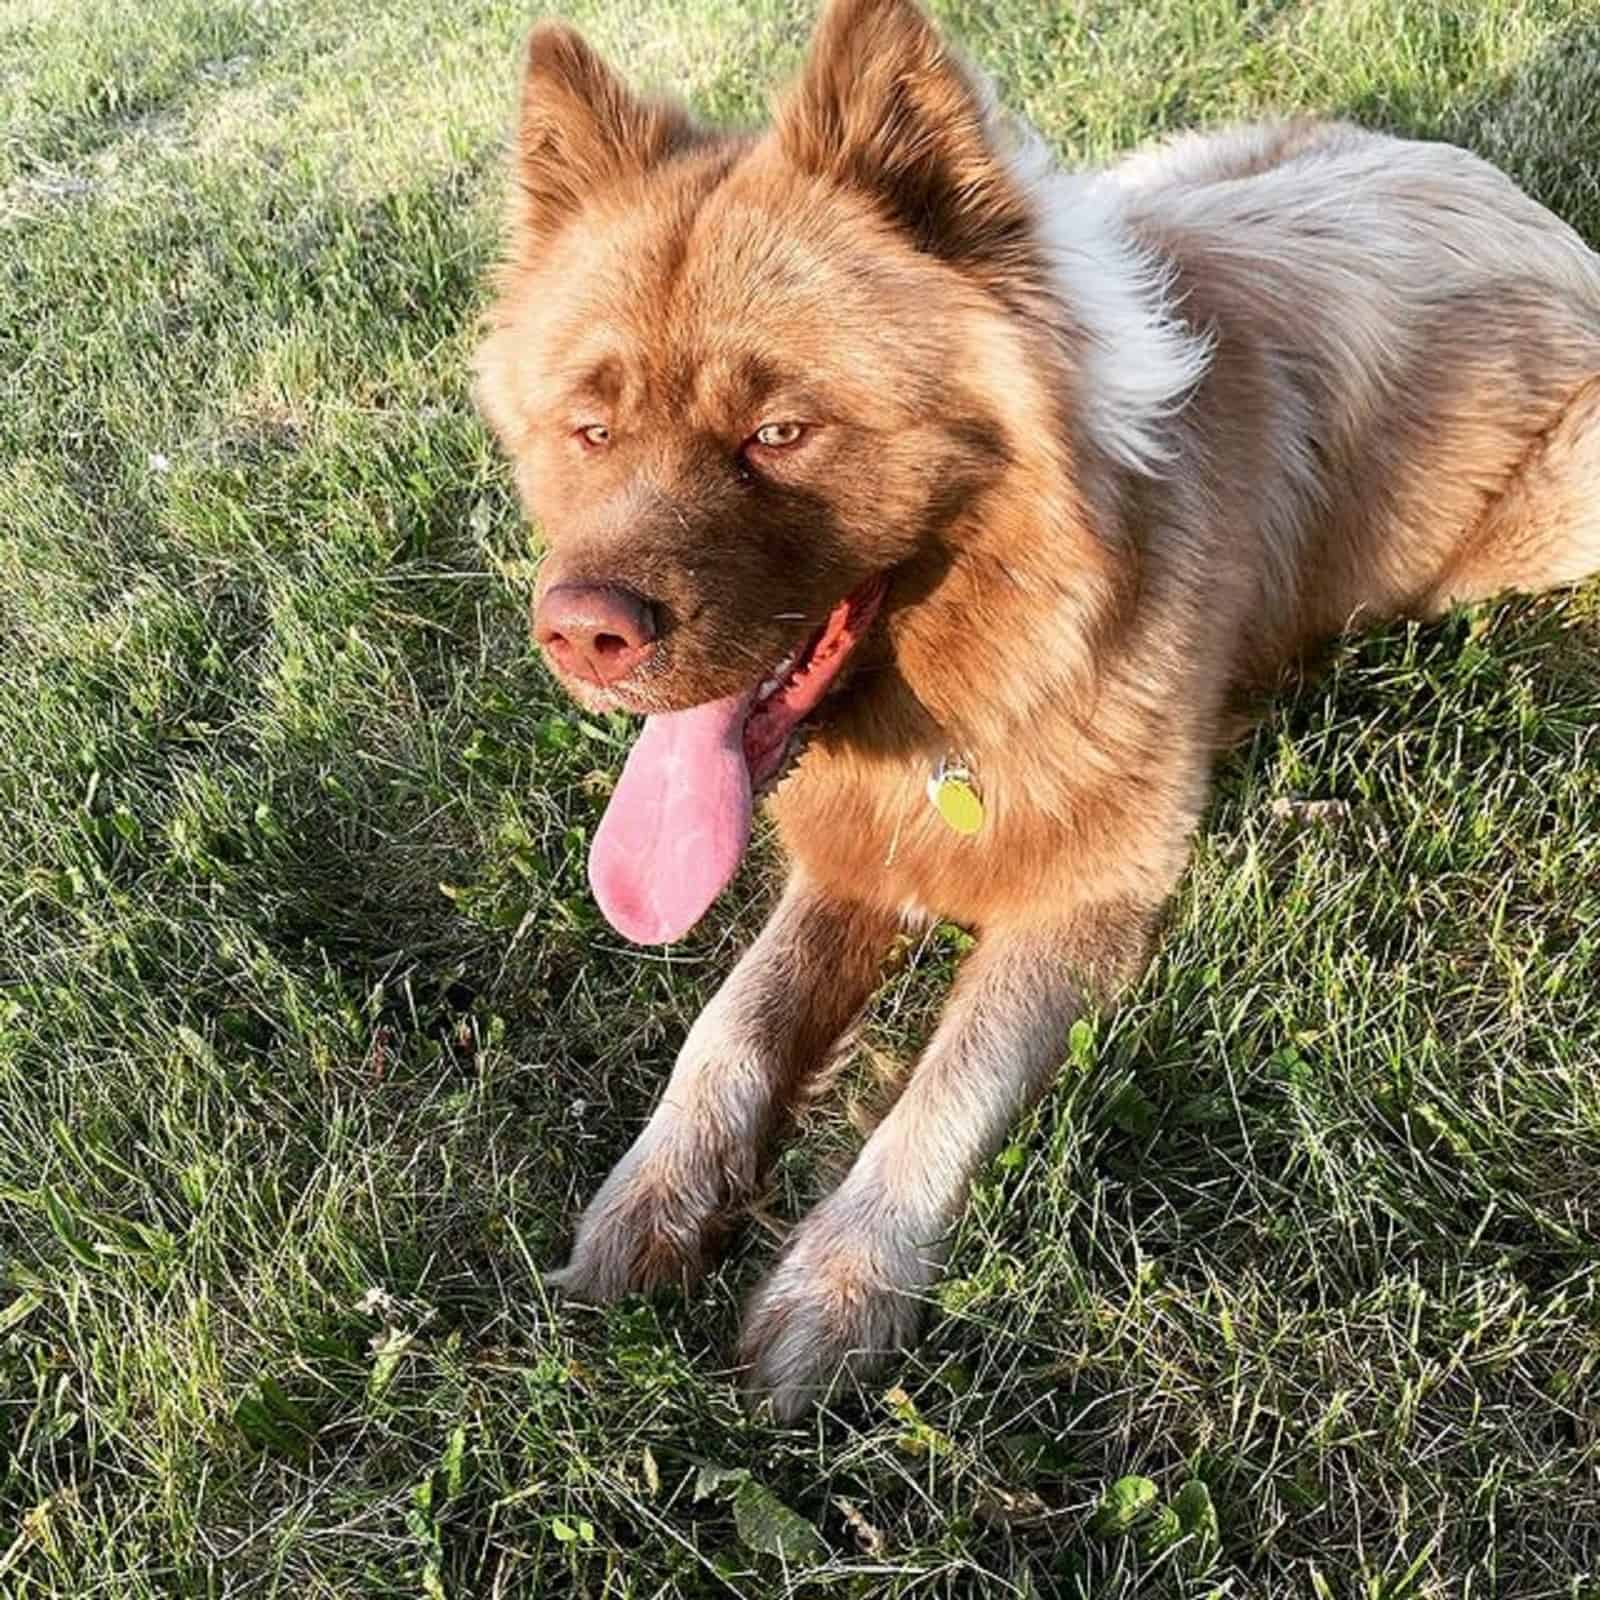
849, 1289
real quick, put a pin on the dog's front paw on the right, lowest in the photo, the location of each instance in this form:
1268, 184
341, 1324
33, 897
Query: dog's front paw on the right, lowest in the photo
836, 1306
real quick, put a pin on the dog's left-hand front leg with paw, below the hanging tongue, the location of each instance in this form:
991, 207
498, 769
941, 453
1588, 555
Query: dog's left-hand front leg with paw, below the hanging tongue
772, 1025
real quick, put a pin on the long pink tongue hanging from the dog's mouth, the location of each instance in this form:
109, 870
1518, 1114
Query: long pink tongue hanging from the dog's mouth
678, 823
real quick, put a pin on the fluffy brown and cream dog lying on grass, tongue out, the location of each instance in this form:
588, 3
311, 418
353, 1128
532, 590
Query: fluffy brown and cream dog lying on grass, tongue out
954, 503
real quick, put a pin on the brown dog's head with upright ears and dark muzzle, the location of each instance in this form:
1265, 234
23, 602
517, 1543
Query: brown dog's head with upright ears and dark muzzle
748, 382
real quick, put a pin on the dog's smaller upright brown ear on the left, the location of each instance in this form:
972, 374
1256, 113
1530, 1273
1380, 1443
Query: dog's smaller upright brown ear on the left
582, 129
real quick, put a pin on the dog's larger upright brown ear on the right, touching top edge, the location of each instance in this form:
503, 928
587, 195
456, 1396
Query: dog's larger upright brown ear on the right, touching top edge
886, 108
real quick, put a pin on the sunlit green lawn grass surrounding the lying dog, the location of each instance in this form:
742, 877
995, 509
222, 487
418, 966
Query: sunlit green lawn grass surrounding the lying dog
311, 1041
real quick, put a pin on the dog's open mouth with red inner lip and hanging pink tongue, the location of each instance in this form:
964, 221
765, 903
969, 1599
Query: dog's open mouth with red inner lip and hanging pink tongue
681, 817
